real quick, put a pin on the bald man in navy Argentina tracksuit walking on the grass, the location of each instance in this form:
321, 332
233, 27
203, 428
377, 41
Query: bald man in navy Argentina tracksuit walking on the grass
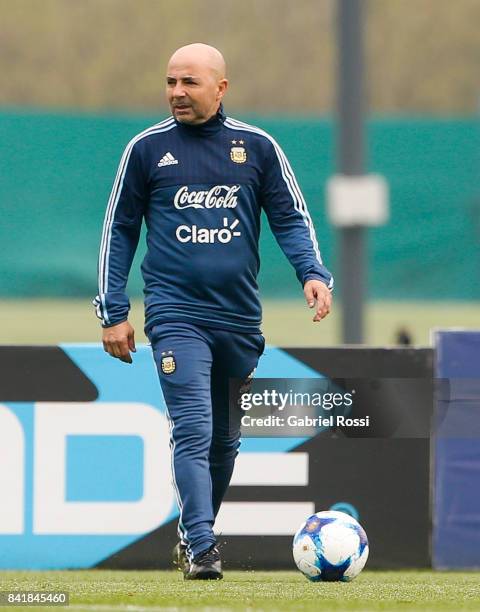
200, 180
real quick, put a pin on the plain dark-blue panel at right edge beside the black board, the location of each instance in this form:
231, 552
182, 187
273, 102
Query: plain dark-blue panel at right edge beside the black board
456, 520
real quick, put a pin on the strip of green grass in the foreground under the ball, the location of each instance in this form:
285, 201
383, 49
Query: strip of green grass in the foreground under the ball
150, 591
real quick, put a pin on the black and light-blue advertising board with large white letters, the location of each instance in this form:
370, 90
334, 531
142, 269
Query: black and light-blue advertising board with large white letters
85, 476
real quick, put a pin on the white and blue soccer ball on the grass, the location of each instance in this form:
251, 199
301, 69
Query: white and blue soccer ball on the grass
330, 546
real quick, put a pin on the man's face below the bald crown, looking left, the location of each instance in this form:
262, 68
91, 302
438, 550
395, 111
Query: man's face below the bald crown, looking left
194, 91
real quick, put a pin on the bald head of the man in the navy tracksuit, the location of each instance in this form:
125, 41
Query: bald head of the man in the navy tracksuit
196, 82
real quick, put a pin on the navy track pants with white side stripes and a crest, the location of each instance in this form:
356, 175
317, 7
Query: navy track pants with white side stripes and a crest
195, 365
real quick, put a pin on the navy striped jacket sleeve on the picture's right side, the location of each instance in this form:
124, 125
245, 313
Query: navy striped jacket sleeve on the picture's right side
289, 218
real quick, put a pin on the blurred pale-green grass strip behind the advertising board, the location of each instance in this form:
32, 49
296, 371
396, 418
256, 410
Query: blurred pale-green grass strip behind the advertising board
286, 323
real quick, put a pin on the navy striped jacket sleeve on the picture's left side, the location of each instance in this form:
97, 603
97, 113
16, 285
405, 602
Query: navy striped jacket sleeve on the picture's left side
121, 232
